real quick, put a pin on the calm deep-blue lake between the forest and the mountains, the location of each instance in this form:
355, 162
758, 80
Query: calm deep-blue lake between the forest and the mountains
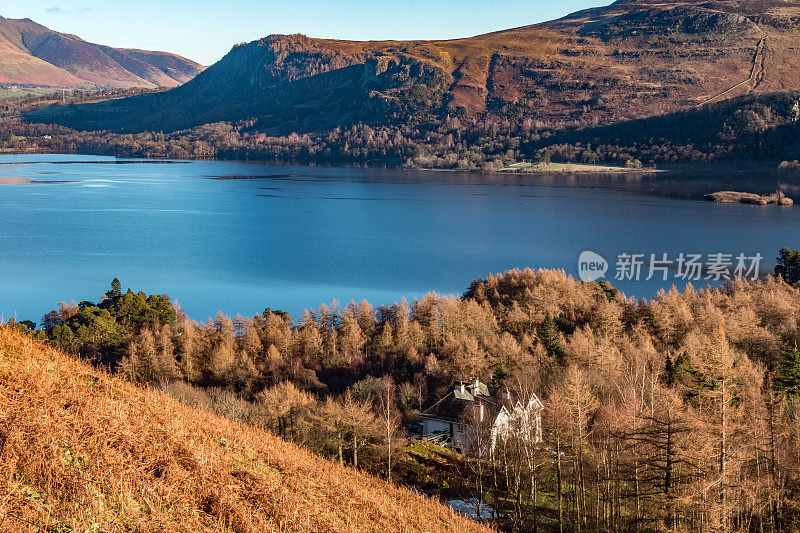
238, 237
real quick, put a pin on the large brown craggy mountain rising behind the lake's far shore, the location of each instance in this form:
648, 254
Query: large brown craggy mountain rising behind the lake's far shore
632, 59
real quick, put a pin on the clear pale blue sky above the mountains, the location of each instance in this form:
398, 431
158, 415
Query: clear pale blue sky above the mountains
204, 30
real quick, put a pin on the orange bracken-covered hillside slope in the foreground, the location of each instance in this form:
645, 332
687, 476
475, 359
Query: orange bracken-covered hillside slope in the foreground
82, 451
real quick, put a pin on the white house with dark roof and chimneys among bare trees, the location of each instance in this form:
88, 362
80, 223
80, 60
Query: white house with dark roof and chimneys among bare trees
468, 410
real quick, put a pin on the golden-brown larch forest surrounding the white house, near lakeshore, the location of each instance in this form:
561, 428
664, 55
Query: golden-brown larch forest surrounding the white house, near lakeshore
681, 413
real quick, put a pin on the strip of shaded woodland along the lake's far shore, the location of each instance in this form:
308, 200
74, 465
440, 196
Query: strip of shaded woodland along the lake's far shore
761, 128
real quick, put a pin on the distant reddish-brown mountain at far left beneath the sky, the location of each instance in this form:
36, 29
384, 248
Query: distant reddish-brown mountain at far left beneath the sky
31, 54
